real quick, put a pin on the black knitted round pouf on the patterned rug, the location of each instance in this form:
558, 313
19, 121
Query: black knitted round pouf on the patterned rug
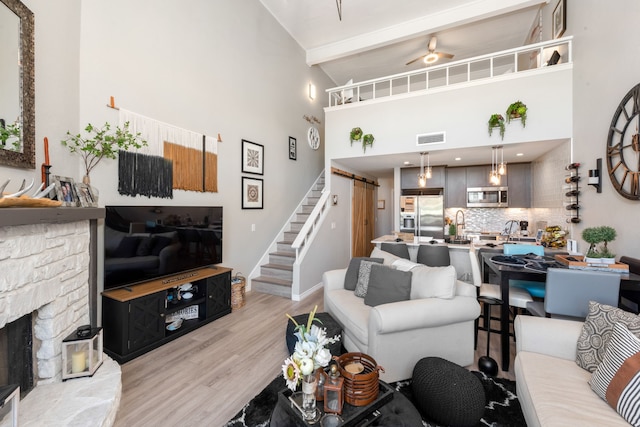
446, 393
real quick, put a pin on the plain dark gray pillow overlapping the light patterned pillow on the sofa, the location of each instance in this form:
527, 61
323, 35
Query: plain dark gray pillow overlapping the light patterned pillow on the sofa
387, 285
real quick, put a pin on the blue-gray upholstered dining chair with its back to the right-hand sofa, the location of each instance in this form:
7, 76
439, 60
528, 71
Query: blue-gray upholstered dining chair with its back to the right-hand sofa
570, 290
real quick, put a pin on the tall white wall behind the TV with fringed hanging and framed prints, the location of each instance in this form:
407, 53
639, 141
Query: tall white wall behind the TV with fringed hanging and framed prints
208, 66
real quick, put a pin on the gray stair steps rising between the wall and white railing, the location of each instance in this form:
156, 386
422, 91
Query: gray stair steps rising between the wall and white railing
276, 276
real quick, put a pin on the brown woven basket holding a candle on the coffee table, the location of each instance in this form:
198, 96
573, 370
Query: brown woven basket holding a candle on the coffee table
360, 389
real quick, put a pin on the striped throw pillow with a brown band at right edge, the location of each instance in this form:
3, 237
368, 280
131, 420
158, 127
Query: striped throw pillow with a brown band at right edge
617, 378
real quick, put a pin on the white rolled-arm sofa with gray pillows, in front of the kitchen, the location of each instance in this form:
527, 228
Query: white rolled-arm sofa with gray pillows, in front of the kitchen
398, 334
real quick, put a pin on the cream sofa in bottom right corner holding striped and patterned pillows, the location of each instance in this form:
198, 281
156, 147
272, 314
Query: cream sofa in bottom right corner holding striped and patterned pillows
552, 389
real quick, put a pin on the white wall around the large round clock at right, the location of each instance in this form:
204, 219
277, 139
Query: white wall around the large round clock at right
607, 67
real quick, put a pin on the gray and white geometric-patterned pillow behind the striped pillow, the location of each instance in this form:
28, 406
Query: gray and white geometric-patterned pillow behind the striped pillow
597, 330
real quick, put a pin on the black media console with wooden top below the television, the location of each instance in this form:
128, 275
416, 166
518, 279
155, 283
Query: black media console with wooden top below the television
134, 319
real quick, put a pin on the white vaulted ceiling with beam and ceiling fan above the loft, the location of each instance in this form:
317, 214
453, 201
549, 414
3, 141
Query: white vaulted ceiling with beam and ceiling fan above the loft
376, 38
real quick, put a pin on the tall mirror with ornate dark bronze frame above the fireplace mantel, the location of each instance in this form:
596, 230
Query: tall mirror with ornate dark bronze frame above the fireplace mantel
17, 88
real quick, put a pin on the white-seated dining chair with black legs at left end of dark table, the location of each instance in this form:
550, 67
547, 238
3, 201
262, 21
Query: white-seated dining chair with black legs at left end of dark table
490, 294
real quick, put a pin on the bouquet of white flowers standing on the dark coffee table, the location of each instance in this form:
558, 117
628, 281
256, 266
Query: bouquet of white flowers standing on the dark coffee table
309, 352
